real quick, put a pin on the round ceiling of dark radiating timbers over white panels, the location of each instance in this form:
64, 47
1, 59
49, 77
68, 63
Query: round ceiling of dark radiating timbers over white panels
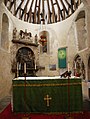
35, 11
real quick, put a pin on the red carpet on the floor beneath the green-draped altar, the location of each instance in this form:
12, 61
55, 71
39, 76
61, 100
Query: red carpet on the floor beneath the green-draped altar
8, 114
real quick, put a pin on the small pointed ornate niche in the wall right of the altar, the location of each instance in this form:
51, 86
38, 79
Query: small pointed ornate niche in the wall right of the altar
79, 67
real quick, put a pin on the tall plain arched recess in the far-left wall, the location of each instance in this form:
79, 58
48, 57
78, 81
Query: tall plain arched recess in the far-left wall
5, 33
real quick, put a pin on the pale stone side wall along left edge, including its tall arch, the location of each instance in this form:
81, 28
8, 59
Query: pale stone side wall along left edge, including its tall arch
5, 56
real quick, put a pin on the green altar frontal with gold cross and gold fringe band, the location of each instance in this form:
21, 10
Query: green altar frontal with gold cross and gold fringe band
47, 95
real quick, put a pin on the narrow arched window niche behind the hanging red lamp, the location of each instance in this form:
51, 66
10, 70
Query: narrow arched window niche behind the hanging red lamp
44, 42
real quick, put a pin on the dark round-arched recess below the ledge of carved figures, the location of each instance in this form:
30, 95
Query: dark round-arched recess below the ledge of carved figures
25, 56
